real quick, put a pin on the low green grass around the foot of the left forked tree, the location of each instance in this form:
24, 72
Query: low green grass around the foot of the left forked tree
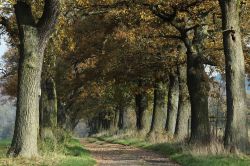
73, 154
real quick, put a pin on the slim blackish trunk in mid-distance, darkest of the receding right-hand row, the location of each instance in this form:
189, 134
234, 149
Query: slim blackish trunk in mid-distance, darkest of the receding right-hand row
141, 102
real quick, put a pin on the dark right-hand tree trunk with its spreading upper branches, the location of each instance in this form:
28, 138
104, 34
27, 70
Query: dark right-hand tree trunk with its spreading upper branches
198, 84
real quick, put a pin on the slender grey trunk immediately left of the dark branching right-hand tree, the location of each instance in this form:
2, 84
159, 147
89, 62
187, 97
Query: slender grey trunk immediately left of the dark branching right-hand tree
181, 131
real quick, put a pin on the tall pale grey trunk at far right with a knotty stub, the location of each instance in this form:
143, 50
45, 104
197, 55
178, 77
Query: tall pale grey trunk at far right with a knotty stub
236, 133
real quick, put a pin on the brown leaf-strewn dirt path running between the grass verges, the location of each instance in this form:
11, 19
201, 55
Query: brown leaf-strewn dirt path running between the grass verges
107, 154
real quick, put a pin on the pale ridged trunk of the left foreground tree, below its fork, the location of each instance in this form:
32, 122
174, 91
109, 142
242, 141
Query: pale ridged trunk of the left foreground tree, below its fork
24, 141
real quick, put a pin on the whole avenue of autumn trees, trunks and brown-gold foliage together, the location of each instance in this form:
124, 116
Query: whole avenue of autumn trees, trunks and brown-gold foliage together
103, 61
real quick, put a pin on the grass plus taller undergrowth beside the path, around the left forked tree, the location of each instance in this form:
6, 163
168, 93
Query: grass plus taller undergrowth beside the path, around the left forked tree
62, 151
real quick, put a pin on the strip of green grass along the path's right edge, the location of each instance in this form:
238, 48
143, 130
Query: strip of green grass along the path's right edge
176, 153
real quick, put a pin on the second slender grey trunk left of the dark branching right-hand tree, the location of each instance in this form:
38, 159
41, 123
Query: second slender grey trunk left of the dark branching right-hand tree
173, 97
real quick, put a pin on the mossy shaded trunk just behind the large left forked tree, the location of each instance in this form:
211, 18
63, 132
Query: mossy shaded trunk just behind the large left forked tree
48, 100
